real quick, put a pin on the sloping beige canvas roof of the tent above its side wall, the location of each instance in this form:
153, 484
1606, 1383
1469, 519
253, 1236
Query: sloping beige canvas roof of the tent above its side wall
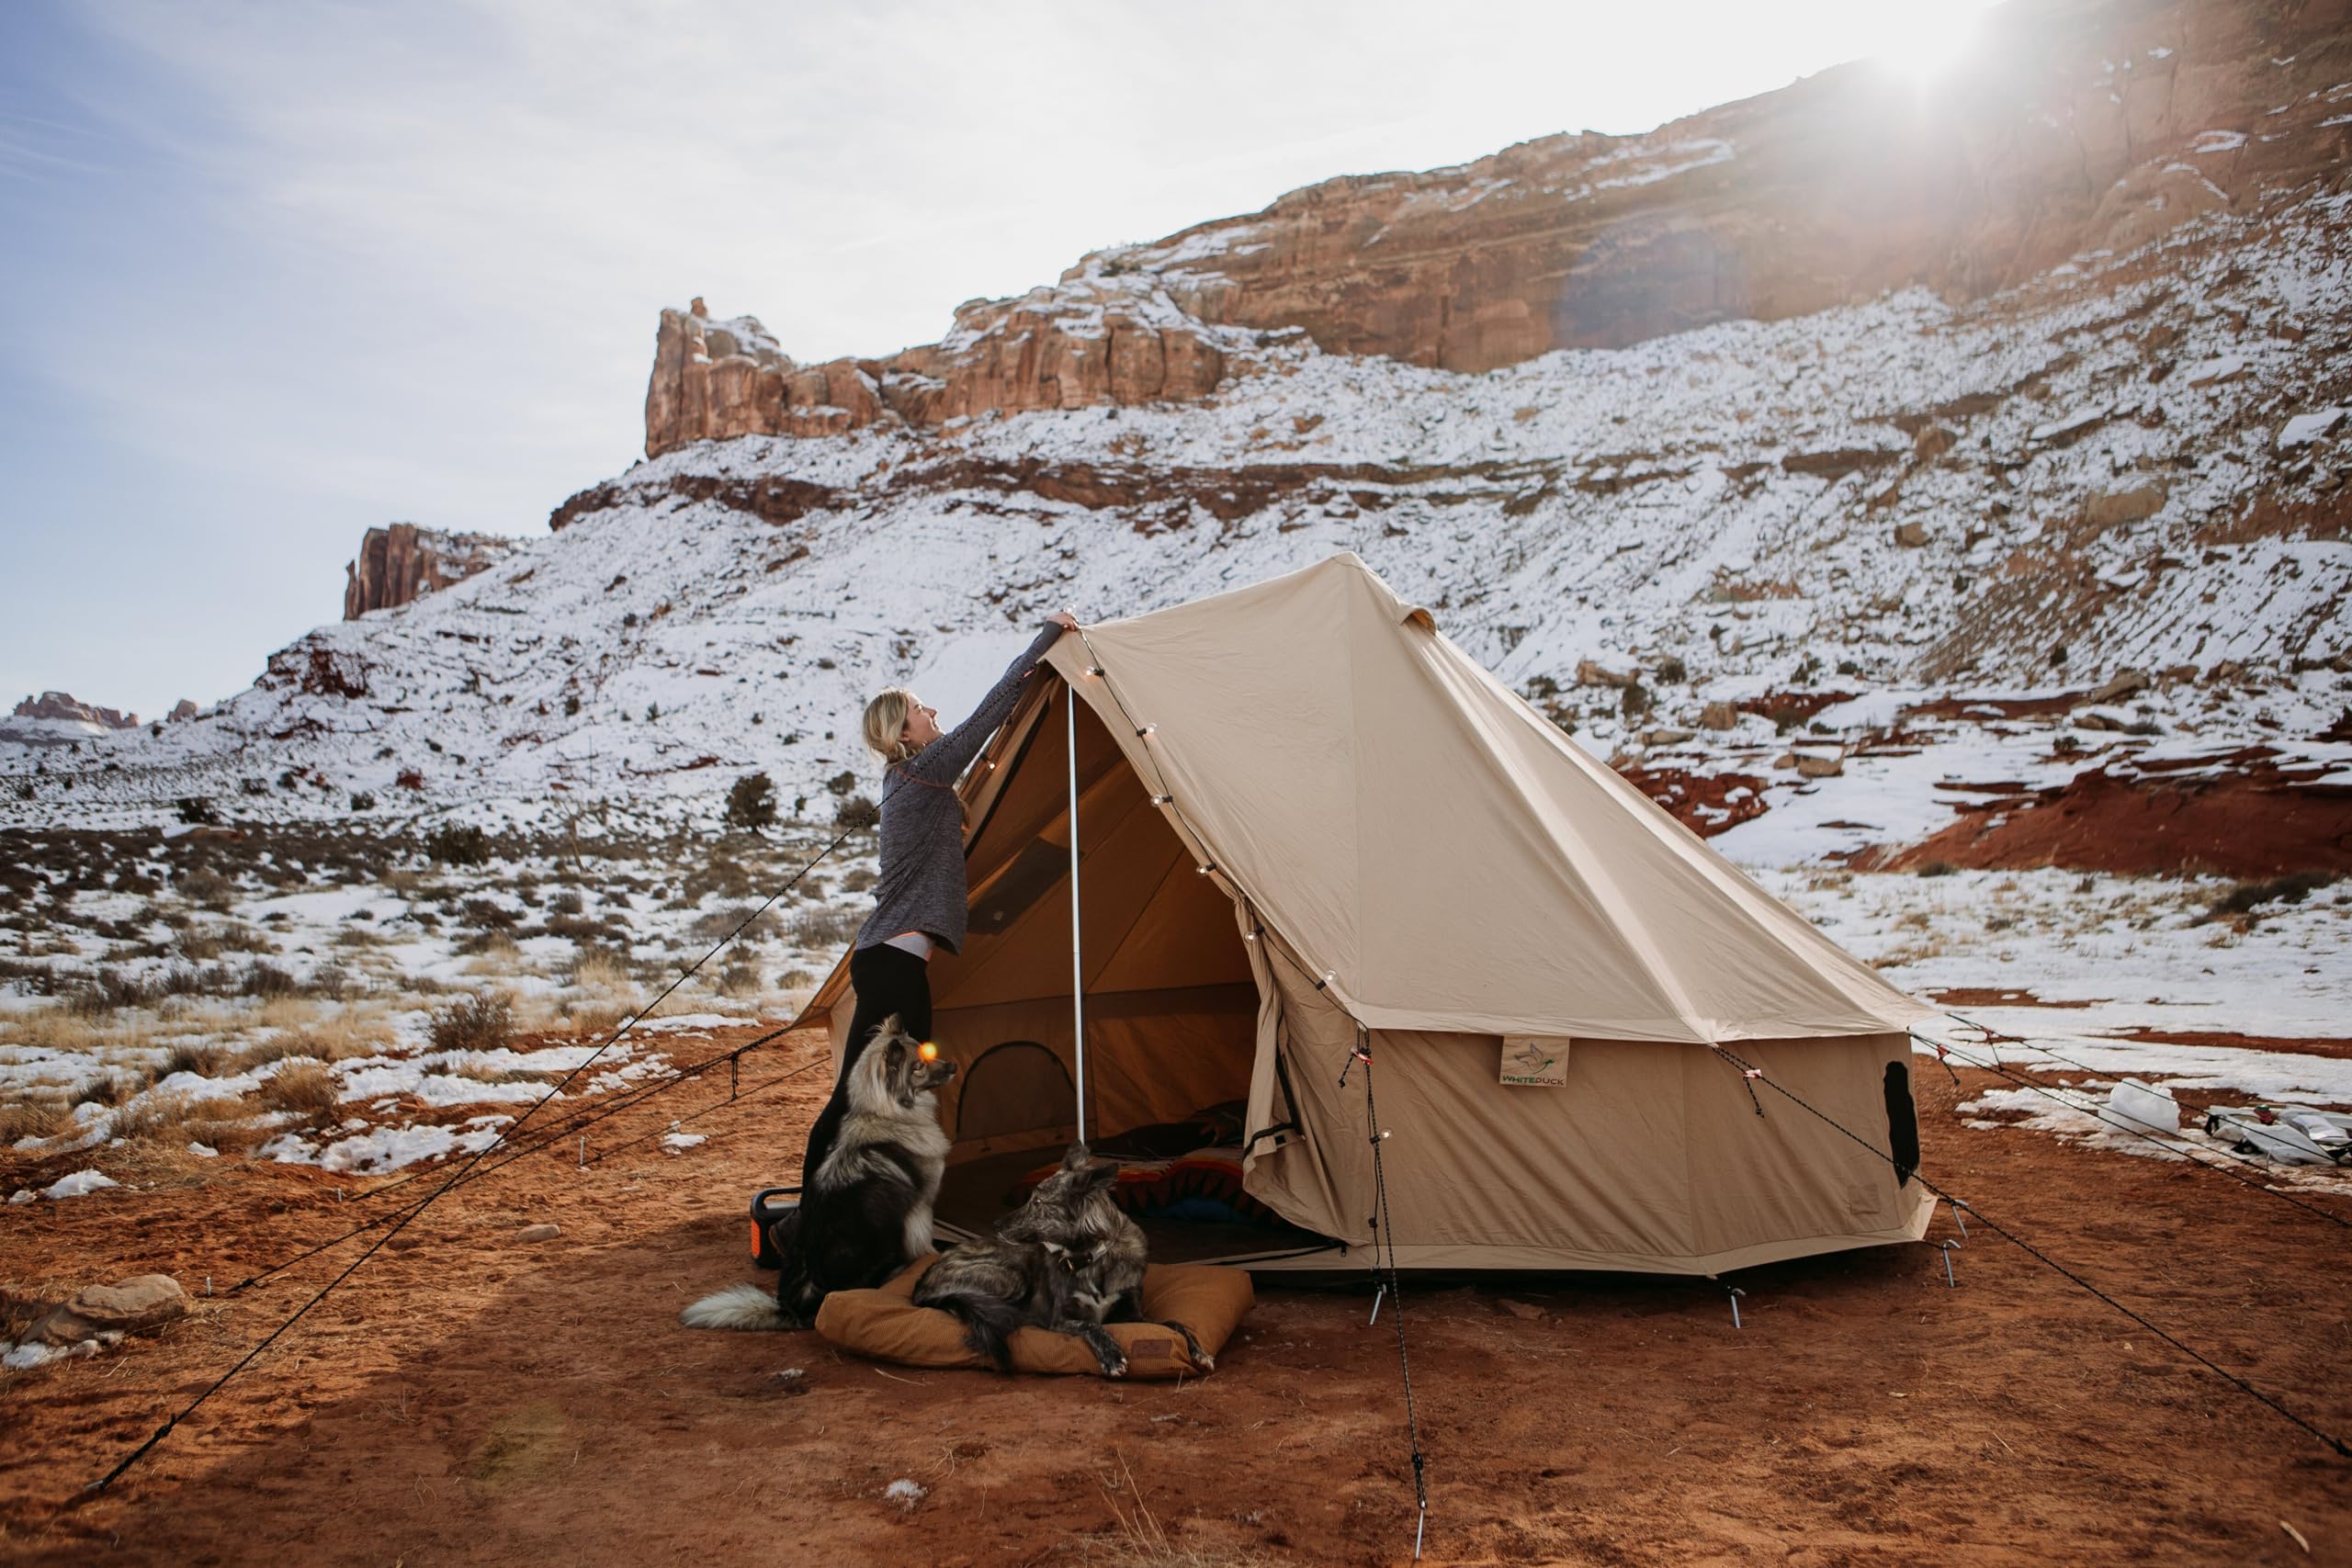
1419, 833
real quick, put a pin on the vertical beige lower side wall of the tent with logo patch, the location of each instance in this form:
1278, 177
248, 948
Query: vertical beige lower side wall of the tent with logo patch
1652, 1158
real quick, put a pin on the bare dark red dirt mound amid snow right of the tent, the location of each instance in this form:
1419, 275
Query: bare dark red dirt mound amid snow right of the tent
2252, 824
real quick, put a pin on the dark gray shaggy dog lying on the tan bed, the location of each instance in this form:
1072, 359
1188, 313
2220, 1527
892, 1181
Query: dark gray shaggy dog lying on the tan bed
1067, 1261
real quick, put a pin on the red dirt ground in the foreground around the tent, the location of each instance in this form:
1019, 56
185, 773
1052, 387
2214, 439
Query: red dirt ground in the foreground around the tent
476, 1400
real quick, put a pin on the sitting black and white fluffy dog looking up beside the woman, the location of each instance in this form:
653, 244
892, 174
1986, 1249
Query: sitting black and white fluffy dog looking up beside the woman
867, 1212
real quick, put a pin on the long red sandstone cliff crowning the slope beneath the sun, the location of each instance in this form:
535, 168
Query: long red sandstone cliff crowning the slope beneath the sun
2052, 142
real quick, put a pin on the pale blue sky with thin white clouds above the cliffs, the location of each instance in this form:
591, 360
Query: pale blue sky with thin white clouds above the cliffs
274, 274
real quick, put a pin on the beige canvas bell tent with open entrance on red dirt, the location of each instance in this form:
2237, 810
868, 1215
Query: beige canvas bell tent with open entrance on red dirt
1302, 815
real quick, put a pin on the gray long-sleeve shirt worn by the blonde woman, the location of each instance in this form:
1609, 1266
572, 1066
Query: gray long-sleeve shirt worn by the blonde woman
923, 824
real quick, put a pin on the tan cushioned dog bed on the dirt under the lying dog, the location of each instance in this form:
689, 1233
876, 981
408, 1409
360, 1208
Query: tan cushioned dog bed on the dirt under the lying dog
890, 1327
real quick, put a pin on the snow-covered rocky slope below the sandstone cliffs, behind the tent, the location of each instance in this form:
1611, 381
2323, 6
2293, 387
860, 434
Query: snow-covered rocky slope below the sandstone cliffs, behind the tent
2111, 467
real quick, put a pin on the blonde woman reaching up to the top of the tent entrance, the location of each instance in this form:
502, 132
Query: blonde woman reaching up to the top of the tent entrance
921, 899
